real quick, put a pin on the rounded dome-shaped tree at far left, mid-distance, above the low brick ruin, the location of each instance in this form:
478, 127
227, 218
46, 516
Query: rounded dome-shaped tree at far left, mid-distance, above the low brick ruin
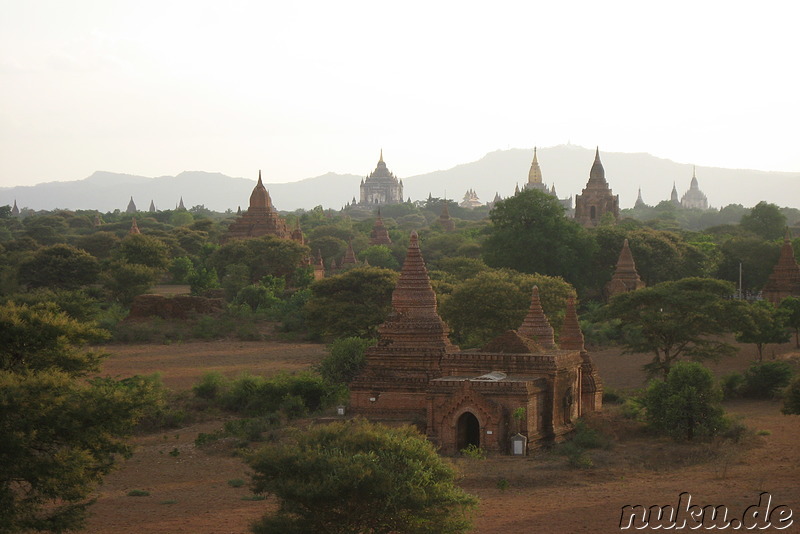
59, 266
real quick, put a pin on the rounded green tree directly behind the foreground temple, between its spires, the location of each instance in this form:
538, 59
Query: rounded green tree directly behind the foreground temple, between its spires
485, 306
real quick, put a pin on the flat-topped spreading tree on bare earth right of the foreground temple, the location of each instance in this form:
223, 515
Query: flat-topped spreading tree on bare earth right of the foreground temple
673, 320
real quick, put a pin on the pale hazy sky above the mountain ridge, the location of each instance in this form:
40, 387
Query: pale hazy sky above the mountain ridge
301, 88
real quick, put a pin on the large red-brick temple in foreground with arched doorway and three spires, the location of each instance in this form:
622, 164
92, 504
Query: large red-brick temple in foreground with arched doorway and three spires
459, 398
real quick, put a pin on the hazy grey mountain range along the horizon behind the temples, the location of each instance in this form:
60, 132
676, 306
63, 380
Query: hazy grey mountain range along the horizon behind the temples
565, 166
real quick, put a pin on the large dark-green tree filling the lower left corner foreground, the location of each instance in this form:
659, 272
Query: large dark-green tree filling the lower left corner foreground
61, 432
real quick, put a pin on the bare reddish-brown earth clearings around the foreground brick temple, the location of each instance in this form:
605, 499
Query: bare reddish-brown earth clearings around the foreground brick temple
189, 490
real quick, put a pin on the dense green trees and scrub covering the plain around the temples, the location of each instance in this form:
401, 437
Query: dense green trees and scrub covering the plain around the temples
65, 281
